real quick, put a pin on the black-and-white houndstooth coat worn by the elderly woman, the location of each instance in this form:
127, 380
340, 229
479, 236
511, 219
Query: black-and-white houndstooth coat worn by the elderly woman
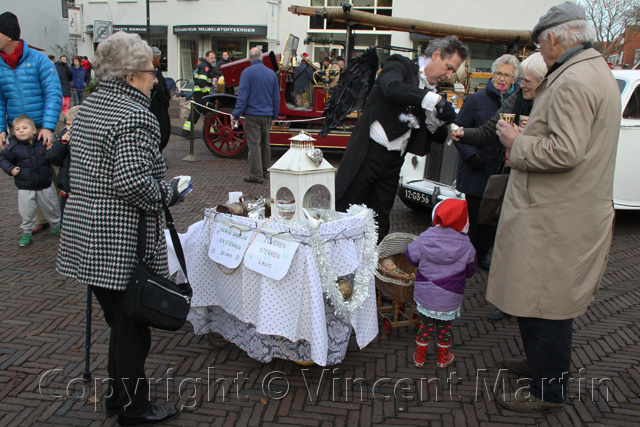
116, 169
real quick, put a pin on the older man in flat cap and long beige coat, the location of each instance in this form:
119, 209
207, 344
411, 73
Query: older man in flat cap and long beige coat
556, 223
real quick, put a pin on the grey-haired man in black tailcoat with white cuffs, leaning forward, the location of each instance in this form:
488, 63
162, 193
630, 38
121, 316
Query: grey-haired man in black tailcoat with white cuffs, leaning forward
403, 113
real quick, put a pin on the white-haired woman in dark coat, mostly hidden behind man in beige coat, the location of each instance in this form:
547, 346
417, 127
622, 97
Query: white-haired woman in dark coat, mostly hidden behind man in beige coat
531, 72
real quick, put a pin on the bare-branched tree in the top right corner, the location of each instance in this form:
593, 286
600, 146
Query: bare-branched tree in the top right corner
613, 19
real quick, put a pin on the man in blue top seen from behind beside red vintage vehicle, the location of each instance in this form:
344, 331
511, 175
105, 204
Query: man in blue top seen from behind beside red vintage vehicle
259, 103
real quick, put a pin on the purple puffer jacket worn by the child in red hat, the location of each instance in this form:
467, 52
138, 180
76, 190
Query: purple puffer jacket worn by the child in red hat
445, 258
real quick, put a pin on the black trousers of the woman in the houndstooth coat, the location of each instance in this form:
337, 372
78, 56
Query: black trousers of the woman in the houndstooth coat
129, 345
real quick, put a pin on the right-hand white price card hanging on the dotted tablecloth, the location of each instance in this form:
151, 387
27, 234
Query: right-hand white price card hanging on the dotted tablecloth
270, 256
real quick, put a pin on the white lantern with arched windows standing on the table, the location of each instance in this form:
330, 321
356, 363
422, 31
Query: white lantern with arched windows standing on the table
301, 178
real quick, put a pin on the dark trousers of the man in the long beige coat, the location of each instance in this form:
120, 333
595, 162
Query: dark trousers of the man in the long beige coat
547, 344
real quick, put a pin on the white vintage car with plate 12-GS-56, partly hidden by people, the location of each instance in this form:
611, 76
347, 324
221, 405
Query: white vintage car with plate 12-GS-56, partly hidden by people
426, 180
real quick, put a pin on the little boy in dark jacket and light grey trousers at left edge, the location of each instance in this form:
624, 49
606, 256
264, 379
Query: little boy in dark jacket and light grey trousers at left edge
25, 160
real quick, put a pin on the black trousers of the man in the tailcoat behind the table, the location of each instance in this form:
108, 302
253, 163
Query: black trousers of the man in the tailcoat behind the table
375, 185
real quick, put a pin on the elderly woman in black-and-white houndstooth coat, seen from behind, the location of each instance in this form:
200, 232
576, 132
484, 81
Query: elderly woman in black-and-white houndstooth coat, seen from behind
116, 172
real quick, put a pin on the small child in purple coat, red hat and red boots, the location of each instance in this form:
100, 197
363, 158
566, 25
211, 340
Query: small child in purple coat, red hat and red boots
445, 259
